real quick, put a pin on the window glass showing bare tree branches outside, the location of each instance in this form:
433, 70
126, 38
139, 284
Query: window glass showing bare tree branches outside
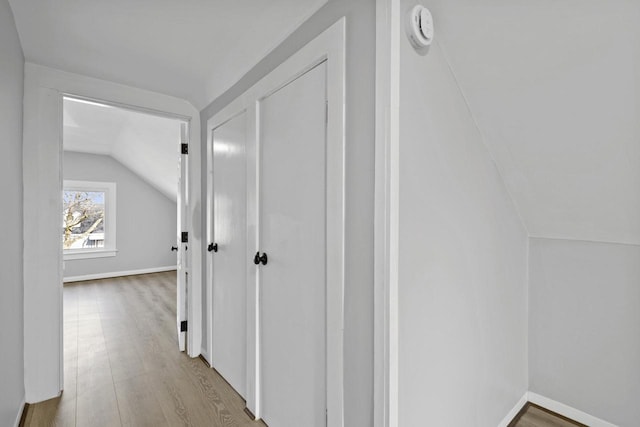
83, 219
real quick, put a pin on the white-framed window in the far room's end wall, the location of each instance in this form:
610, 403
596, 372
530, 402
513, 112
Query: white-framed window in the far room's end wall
88, 219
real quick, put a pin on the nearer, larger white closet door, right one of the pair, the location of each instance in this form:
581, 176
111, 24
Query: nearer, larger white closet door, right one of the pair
293, 237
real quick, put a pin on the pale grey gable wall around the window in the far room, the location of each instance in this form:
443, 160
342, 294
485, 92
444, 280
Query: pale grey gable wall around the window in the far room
145, 218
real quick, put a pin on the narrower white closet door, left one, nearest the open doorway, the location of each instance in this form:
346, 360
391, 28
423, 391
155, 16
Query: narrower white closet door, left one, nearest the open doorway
228, 252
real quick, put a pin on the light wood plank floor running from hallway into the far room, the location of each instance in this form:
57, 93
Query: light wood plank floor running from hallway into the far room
122, 366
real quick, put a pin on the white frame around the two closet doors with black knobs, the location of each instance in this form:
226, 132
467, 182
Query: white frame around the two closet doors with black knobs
328, 46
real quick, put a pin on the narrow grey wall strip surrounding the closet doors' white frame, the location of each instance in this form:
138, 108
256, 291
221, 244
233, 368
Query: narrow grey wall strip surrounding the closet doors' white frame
360, 104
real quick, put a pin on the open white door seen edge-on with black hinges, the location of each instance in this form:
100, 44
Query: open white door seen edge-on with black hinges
182, 264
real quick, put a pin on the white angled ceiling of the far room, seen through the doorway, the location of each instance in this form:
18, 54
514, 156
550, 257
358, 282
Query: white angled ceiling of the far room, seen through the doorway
148, 145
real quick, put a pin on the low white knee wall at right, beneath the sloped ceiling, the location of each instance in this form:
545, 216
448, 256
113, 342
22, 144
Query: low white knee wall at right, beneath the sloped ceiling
584, 326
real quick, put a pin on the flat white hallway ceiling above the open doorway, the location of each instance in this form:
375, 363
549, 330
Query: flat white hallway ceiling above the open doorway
192, 49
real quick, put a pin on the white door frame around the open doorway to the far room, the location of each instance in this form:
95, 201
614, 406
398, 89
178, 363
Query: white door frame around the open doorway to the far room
42, 173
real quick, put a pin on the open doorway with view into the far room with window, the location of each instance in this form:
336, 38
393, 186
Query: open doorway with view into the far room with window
125, 273
